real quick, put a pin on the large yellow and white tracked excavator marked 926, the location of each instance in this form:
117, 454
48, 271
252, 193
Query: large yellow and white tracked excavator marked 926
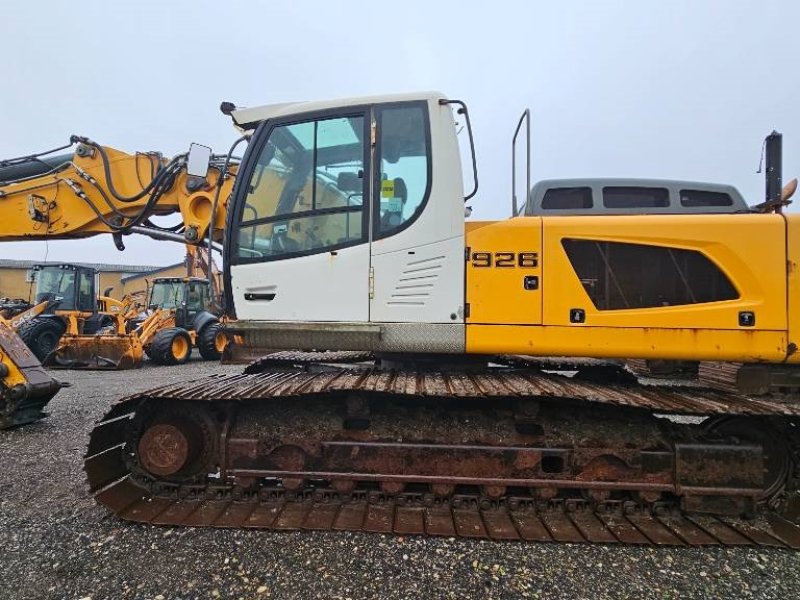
463, 378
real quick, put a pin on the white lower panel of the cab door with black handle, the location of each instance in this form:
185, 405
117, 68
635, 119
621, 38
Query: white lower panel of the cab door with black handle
319, 287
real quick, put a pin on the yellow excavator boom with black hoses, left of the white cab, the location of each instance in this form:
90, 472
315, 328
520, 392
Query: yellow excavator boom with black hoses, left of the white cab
98, 190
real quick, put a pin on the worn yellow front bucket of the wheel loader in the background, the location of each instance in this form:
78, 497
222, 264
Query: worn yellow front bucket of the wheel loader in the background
97, 352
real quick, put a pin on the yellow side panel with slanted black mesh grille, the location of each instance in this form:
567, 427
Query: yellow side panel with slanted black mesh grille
666, 271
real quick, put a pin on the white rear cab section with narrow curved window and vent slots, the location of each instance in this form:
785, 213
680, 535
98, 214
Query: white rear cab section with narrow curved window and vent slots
417, 264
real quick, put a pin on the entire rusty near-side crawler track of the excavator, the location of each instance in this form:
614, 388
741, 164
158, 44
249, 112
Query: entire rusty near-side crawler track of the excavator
500, 454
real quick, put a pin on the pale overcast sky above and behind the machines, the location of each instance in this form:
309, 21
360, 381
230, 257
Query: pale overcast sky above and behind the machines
672, 89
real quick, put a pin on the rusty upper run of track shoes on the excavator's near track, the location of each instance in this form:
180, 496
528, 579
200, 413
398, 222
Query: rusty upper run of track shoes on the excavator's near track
658, 399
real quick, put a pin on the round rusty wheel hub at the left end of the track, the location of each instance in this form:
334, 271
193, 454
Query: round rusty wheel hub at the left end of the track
165, 449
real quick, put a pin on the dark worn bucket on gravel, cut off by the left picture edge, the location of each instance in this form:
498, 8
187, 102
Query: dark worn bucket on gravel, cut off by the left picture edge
25, 387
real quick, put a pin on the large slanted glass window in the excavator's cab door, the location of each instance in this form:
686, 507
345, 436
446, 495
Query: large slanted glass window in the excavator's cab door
306, 194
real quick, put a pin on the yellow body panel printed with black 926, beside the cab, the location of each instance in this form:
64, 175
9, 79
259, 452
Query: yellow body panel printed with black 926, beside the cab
502, 255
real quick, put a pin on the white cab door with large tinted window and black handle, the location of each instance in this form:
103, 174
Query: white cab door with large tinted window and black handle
301, 246
